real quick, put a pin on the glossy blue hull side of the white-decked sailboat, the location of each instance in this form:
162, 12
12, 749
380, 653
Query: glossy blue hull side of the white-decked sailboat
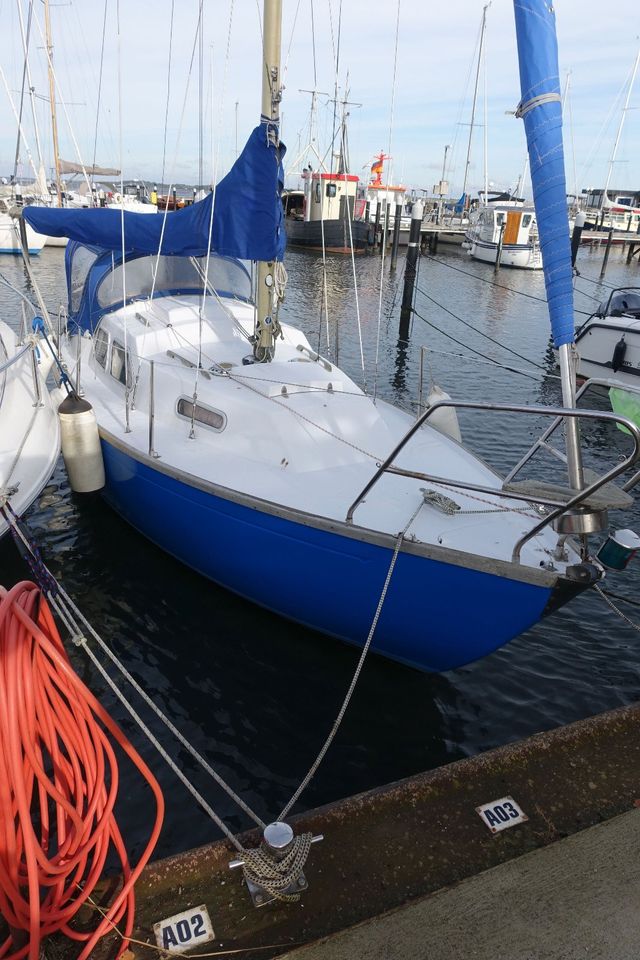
437, 615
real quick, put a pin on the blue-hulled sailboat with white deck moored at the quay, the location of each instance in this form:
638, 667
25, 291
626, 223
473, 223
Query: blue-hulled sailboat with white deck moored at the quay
233, 445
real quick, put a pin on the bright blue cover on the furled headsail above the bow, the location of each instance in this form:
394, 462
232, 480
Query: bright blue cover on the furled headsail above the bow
539, 77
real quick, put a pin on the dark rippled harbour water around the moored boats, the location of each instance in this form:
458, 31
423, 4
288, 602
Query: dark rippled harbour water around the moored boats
257, 695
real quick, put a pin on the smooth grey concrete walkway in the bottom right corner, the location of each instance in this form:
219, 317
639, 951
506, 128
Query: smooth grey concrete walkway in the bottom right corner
578, 898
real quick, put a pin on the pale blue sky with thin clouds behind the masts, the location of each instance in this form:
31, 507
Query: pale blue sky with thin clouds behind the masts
407, 66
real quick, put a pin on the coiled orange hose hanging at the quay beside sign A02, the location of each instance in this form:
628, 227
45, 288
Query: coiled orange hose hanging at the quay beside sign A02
58, 786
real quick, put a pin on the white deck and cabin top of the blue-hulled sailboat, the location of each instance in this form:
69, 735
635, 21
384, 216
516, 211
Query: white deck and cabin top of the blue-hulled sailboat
312, 449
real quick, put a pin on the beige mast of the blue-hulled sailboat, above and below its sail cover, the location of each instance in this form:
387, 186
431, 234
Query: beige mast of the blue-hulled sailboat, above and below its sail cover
267, 327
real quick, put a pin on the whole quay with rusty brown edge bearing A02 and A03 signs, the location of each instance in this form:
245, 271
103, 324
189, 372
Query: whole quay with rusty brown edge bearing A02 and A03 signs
413, 869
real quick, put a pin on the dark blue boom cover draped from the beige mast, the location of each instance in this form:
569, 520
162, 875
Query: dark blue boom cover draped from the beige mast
247, 217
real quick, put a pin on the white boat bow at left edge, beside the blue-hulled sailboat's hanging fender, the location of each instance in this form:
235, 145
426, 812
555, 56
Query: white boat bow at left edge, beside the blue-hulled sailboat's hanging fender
29, 425
